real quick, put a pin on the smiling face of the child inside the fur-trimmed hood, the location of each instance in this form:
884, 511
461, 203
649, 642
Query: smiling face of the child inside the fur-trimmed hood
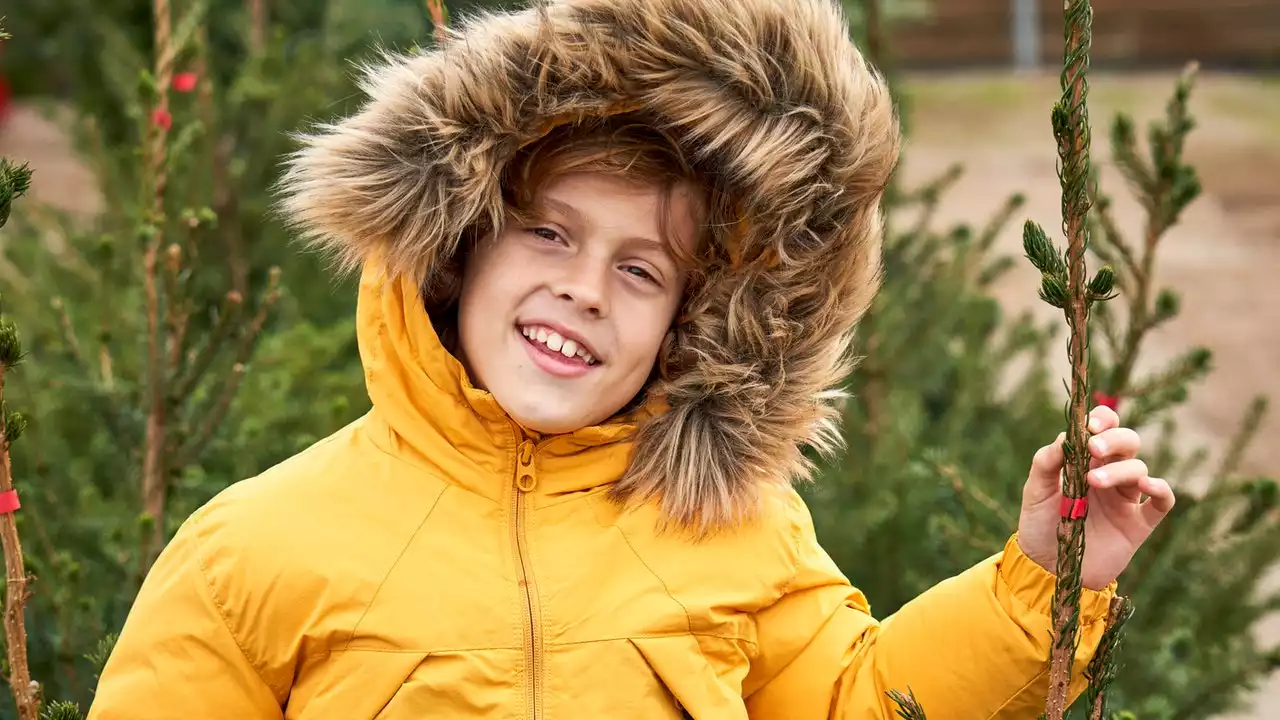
563, 320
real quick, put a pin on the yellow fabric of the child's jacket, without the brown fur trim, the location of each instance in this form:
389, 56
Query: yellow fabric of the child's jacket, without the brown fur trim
428, 562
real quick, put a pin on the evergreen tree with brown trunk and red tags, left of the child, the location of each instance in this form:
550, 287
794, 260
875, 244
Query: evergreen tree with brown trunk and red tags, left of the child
163, 300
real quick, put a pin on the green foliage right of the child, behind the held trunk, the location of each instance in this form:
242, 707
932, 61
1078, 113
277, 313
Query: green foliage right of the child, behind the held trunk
952, 400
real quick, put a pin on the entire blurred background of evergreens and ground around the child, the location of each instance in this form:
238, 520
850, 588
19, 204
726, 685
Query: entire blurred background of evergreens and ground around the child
157, 176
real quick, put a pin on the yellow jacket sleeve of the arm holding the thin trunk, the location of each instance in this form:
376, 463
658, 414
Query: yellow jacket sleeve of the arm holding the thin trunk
975, 646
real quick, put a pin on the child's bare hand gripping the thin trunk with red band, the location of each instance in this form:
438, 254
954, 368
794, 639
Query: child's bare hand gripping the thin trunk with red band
1118, 521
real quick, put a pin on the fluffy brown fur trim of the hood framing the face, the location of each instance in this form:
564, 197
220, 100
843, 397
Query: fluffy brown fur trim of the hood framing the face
771, 94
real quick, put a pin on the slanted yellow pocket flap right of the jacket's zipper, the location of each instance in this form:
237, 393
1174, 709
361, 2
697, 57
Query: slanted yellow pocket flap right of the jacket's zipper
680, 666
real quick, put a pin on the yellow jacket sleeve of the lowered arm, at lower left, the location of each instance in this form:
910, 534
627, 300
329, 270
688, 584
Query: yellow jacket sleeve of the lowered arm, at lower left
177, 655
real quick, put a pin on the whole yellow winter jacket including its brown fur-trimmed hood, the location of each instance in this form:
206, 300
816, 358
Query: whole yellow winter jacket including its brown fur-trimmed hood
433, 560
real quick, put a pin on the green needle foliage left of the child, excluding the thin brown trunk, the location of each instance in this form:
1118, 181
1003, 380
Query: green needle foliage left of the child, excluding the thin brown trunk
239, 399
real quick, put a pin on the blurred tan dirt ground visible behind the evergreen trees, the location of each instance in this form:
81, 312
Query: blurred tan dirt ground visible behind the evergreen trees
1224, 258
